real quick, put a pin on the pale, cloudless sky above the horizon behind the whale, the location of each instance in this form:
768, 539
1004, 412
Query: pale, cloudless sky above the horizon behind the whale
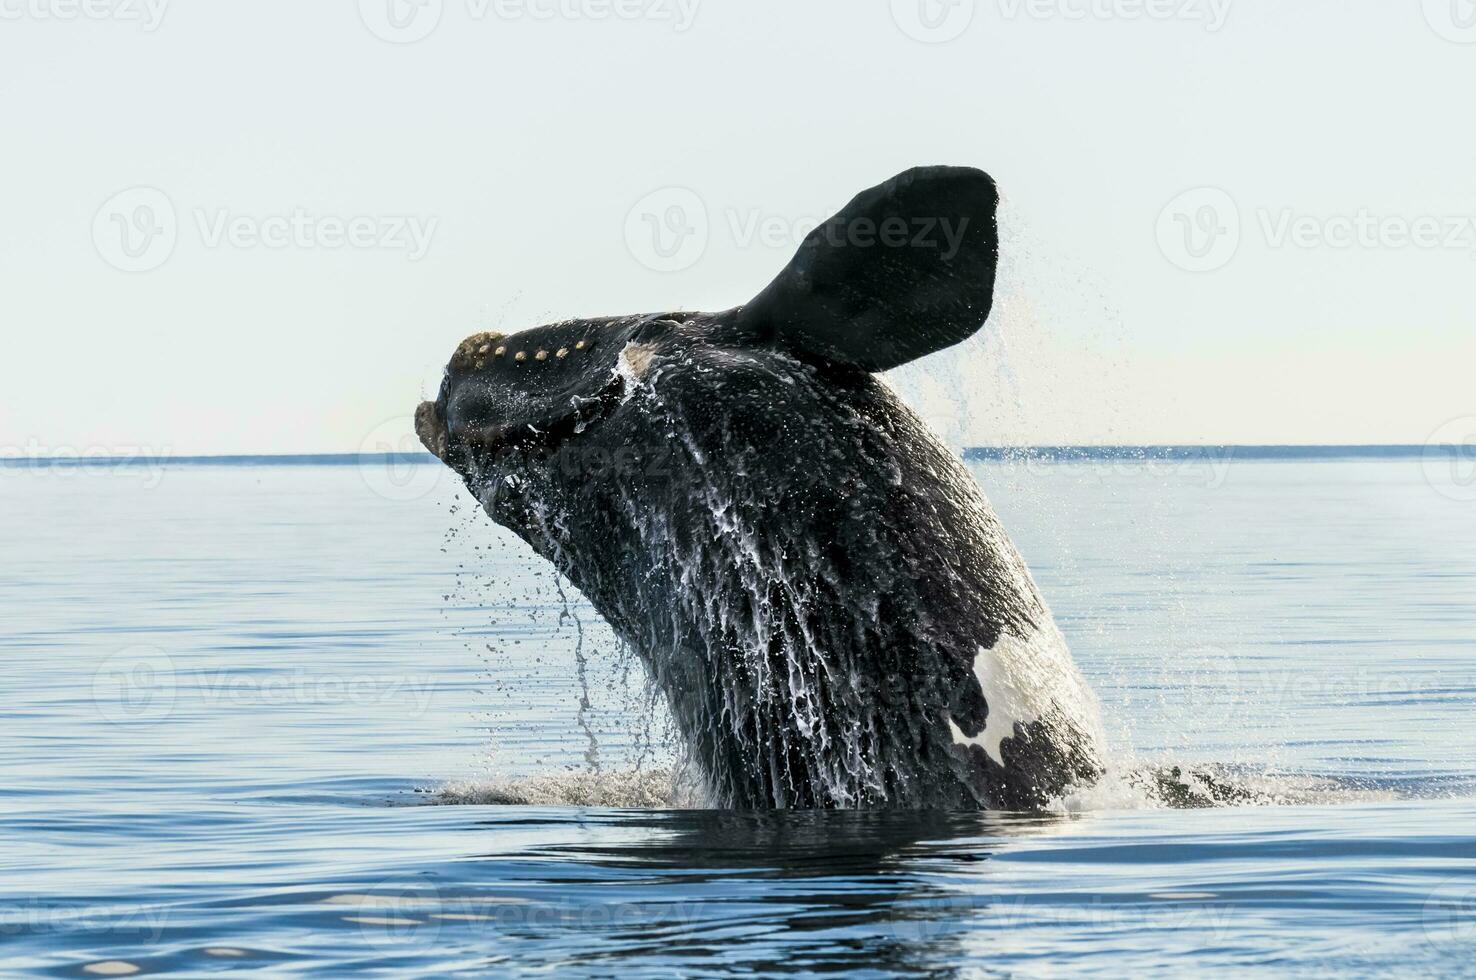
182, 181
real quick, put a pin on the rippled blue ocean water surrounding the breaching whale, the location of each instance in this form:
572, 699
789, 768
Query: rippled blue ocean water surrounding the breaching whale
321, 720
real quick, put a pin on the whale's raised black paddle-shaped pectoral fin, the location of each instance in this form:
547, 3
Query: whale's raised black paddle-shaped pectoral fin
904, 271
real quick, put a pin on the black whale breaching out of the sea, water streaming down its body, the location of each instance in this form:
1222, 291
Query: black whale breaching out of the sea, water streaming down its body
817, 584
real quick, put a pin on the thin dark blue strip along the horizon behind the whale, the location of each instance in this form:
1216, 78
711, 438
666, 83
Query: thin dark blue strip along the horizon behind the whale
978, 454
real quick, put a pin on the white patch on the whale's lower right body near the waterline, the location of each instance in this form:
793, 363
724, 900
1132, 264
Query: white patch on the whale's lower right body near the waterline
1028, 681
